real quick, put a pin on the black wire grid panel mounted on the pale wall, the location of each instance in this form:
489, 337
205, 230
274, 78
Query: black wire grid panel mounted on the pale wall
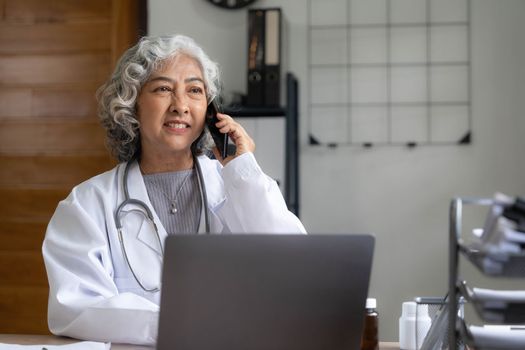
389, 104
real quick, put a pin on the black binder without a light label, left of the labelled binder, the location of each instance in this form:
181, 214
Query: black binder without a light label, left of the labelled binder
256, 32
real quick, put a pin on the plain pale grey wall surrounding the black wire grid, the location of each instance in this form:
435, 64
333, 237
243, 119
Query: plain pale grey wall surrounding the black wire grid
399, 194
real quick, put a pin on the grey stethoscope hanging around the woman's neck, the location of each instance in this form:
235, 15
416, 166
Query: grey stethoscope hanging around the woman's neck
145, 210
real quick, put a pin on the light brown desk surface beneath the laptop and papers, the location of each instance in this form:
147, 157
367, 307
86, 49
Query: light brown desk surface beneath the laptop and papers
24, 339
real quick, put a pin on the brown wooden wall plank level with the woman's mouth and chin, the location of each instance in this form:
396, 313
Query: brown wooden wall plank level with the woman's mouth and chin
62, 136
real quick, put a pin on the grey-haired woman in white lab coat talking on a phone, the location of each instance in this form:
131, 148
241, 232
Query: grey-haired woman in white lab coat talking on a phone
105, 281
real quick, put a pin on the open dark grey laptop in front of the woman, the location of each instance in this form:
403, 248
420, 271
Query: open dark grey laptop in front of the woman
264, 291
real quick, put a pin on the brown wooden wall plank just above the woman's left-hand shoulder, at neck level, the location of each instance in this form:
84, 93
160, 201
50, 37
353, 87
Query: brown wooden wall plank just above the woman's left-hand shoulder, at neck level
49, 170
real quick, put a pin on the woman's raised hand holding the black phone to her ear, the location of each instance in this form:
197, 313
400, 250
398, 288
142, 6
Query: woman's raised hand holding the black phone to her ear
243, 142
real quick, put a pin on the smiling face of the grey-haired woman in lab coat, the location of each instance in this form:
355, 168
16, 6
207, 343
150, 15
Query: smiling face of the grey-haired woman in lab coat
171, 108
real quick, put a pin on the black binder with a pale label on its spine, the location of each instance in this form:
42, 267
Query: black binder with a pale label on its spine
272, 58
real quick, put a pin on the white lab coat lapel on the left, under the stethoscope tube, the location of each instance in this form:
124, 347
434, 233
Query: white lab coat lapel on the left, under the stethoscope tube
137, 190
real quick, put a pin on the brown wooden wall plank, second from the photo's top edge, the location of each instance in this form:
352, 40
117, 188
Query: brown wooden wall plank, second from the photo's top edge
55, 37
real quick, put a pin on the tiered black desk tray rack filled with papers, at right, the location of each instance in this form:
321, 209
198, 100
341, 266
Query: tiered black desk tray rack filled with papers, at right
495, 306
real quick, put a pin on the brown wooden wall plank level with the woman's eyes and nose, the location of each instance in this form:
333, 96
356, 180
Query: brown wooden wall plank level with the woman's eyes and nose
48, 102
